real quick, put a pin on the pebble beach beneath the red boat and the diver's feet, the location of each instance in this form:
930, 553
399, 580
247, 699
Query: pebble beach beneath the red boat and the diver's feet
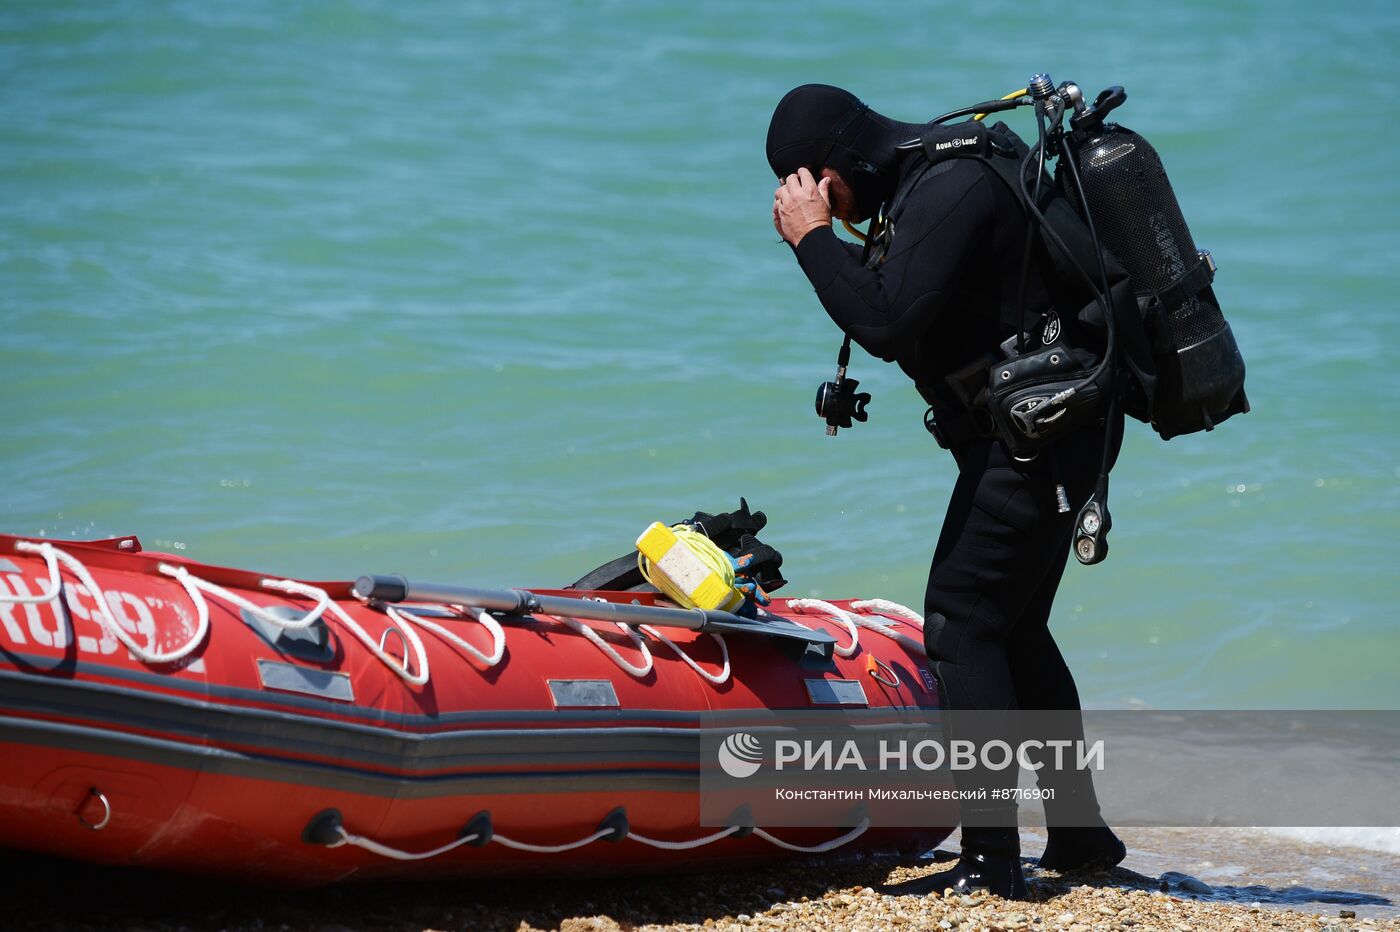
818, 895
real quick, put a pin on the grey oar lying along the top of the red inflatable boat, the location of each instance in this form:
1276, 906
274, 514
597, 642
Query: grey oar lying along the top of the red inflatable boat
524, 602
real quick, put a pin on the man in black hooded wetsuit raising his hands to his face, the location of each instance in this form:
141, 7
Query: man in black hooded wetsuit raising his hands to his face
930, 292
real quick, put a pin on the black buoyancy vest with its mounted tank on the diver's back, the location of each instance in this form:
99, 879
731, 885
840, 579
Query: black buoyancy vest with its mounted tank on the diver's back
1175, 363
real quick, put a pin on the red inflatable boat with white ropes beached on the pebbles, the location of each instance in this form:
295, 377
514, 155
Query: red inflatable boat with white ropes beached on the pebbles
163, 713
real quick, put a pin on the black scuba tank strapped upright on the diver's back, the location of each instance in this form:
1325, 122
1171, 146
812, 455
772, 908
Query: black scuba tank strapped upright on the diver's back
1200, 374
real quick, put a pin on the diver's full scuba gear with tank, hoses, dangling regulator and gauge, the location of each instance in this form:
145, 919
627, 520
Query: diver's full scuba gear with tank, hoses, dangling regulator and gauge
1135, 324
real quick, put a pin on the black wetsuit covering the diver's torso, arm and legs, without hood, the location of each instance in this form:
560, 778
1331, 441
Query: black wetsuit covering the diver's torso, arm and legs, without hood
936, 306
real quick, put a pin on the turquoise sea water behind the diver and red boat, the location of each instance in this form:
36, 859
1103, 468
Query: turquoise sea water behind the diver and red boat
477, 292
